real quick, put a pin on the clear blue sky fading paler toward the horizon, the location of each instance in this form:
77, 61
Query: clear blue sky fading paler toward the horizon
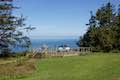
58, 18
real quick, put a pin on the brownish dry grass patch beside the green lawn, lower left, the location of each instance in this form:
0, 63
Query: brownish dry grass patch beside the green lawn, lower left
20, 67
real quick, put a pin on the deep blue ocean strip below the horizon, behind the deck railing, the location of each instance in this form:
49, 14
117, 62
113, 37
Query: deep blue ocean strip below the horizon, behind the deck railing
53, 43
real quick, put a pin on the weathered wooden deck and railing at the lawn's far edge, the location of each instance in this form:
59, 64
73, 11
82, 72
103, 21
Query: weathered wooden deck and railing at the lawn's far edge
72, 52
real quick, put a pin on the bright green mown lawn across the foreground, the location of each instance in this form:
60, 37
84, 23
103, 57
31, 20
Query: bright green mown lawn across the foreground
89, 67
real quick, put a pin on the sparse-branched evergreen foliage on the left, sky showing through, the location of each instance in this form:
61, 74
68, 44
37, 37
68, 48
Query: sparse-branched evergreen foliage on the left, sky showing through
11, 28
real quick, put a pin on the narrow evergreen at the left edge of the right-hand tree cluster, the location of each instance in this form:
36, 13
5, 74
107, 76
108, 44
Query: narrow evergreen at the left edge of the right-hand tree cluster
86, 40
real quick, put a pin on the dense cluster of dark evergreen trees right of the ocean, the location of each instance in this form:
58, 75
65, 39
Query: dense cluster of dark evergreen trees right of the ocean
103, 32
